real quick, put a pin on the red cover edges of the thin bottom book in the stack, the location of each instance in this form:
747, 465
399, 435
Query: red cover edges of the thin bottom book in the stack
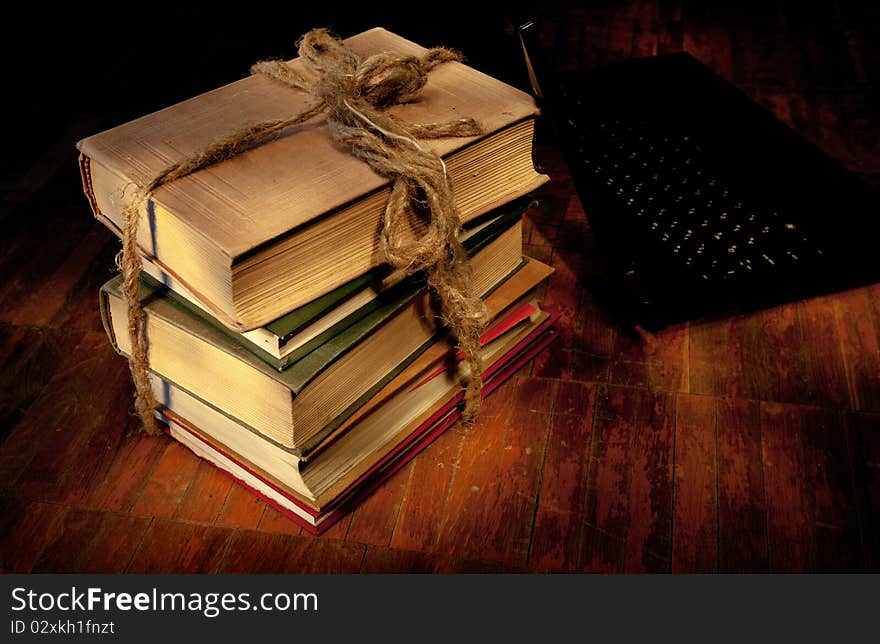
444, 418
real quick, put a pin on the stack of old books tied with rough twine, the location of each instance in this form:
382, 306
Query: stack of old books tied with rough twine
281, 347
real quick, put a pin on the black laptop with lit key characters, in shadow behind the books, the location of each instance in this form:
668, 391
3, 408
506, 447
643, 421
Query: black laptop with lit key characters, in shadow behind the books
701, 201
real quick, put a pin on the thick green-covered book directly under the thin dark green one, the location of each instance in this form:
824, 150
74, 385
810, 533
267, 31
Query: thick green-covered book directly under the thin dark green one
298, 405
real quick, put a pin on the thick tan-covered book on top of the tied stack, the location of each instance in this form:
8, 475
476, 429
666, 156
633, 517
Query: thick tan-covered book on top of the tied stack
272, 229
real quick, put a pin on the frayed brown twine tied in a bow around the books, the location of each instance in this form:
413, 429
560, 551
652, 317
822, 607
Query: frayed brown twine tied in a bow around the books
353, 93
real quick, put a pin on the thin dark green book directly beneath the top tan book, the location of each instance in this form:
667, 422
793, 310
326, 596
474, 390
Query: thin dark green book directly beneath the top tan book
293, 336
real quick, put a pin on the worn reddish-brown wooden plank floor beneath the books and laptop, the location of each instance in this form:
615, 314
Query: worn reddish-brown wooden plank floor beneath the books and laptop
749, 443
